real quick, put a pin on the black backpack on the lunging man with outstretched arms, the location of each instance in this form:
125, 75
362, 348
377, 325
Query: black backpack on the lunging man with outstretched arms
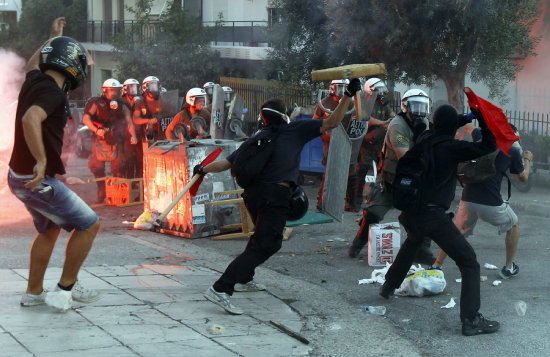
253, 156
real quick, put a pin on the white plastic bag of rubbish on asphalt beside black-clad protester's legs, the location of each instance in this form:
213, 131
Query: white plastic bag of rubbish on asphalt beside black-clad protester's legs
422, 283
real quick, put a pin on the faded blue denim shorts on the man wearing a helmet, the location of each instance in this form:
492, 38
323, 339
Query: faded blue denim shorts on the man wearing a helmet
52, 204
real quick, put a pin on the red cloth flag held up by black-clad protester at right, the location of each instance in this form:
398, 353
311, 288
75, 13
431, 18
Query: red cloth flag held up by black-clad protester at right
495, 119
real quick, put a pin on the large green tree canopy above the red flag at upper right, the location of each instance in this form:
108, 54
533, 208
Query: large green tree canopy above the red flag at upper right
421, 41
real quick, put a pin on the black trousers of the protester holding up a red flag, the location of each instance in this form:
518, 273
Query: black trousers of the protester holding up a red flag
438, 225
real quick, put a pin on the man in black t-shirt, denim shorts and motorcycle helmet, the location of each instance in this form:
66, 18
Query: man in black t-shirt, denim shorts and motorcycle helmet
36, 159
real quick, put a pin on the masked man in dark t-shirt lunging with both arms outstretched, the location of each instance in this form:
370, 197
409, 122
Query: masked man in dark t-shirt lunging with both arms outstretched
268, 197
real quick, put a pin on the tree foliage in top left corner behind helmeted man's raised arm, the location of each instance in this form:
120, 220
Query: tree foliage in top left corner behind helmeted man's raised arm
36, 18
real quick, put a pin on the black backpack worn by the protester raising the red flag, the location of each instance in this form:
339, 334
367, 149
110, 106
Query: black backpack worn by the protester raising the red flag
414, 176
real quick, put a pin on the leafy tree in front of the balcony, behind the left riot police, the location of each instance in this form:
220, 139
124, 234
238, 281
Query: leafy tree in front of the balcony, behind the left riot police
178, 53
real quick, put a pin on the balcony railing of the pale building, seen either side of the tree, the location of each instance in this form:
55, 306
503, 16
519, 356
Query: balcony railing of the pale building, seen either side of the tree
229, 33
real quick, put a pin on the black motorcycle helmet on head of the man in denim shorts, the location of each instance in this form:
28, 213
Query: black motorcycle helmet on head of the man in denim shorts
66, 55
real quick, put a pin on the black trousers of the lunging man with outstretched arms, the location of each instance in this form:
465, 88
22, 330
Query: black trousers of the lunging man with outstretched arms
268, 206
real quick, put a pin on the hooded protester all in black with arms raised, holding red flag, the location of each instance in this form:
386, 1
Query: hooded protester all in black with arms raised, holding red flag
432, 221
